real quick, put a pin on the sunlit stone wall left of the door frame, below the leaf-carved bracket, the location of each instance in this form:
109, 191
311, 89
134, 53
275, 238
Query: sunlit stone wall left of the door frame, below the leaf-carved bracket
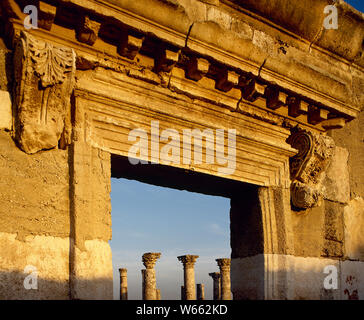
35, 221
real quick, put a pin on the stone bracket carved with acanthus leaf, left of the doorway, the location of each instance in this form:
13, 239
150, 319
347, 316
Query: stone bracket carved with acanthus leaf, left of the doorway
44, 80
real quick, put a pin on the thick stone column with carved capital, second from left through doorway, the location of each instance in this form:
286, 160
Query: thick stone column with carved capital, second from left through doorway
149, 260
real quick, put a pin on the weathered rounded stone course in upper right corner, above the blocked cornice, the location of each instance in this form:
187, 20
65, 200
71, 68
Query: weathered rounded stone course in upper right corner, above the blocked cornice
346, 41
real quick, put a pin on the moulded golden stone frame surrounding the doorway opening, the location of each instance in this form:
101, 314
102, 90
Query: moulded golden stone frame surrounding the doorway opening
104, 105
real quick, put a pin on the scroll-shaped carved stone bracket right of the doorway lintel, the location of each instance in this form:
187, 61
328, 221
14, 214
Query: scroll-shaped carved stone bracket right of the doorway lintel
307, 167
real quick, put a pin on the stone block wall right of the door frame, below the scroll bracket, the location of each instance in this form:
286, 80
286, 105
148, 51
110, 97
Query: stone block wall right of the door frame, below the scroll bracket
331, 233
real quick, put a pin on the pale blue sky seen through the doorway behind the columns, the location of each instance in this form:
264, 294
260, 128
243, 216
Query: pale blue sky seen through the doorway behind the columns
148, 218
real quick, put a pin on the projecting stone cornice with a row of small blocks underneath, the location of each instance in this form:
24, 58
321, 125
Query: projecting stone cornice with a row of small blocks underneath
256, 75
